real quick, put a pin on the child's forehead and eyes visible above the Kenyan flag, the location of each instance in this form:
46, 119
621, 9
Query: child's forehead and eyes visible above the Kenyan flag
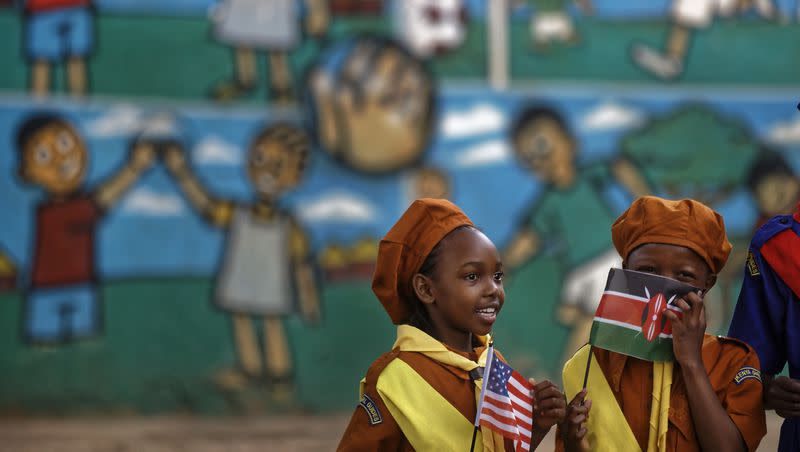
672, 261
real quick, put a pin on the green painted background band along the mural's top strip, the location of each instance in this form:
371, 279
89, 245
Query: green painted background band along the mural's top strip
177, 58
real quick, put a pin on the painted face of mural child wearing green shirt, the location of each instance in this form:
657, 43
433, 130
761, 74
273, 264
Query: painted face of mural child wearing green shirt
544, 147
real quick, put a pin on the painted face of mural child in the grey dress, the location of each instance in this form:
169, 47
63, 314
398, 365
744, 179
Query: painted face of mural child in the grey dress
273, 166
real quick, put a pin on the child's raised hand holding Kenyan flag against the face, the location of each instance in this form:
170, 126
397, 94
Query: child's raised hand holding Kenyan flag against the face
688, 330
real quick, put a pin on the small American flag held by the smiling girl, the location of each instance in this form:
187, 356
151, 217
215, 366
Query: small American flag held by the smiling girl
506, 404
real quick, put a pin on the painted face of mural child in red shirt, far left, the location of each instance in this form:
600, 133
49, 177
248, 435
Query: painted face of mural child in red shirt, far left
55, 158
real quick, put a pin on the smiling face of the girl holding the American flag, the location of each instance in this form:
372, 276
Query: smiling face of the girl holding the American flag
464, 293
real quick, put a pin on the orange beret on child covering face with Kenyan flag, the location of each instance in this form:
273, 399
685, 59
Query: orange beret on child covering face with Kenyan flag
687, 223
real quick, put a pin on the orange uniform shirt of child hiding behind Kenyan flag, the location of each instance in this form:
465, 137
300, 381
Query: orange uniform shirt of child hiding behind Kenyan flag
631, 381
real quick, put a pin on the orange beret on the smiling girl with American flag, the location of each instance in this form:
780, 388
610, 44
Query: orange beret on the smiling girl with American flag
405, 247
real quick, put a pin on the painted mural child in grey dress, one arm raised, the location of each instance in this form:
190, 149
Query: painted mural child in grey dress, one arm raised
266, 264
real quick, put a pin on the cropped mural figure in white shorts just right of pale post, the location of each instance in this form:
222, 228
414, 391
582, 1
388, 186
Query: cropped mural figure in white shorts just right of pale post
551, 22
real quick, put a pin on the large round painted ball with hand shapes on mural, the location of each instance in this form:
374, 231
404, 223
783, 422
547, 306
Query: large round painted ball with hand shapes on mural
373, 107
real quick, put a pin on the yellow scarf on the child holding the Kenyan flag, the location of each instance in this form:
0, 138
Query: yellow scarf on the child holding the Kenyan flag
608, 430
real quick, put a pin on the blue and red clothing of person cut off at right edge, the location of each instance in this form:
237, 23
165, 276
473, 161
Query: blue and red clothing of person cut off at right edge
767, 315
